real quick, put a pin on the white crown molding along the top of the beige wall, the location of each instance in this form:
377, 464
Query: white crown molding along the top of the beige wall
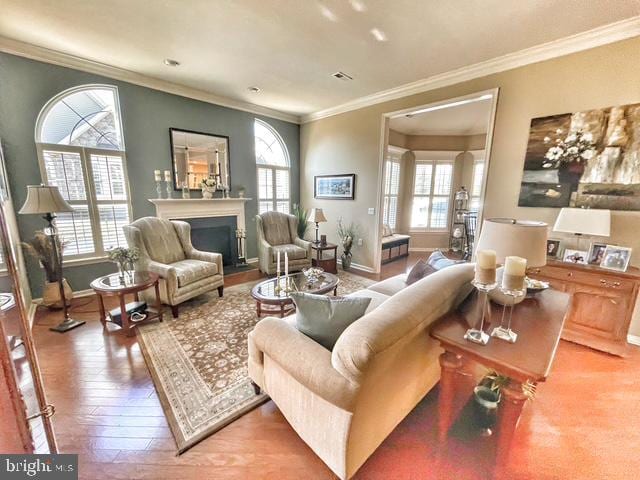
599, 36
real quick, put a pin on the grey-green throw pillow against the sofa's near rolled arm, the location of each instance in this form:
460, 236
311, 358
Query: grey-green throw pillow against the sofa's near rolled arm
324, 318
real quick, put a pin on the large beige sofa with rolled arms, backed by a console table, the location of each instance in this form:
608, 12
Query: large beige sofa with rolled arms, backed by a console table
343, 403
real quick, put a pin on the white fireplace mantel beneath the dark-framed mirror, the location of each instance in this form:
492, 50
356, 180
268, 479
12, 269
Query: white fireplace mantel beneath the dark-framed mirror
176, 208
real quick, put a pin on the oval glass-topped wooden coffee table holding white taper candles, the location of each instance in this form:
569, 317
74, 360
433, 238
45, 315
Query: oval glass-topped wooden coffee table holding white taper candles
270, 302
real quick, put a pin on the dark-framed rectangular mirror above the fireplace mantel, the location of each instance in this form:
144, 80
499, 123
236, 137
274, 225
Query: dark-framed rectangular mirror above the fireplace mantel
196, 156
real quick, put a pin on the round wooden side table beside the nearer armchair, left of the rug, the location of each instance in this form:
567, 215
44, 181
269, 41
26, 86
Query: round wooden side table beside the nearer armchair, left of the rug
132, 282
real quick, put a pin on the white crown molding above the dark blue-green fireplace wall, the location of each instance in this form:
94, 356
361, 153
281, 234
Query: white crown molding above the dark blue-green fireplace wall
42, 54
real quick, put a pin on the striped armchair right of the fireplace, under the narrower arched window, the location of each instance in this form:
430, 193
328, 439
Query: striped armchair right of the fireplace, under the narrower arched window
278, 232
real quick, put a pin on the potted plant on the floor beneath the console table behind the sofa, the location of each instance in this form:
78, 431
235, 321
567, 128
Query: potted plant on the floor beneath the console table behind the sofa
487, 396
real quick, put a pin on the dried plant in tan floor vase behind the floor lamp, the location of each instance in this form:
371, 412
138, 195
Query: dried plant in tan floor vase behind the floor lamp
41, 248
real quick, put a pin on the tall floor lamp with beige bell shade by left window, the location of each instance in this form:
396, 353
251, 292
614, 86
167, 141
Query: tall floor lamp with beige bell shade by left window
46, 201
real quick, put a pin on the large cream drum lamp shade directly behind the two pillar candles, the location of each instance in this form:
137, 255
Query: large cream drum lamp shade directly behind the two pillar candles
510, 237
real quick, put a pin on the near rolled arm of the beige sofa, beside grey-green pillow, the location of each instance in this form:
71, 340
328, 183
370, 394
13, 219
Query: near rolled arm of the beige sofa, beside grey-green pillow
305, 360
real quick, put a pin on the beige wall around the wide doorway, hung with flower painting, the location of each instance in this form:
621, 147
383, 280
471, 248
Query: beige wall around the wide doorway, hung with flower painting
350, 142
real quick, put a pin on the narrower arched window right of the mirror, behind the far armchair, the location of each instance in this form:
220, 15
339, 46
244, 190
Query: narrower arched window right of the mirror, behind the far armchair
272, 160
